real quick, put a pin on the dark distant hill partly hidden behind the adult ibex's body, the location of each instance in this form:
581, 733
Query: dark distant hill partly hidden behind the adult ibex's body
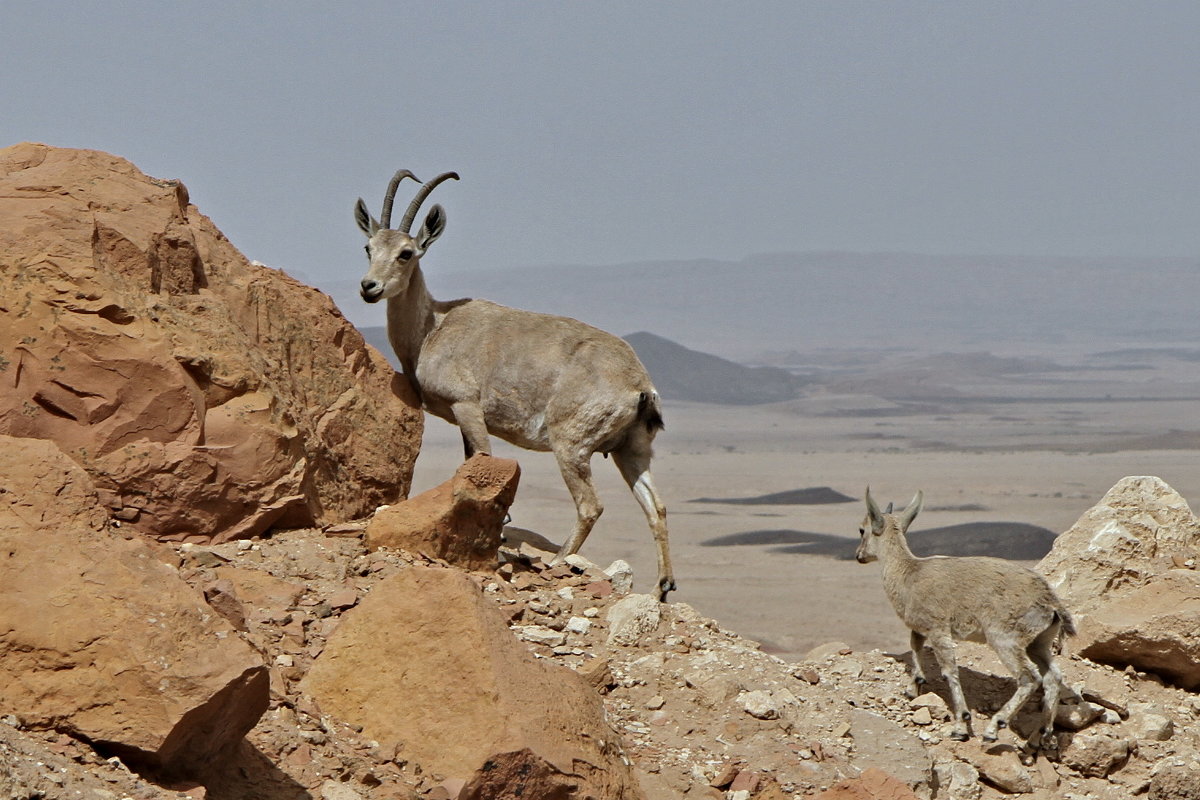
680, 374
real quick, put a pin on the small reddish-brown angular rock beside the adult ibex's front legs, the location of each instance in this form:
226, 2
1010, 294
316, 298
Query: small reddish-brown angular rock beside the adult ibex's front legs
460, 521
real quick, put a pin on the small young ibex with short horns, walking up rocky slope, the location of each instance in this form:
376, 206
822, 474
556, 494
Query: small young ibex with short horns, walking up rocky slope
989, 600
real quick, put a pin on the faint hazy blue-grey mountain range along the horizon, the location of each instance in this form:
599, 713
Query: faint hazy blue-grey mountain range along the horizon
779, 302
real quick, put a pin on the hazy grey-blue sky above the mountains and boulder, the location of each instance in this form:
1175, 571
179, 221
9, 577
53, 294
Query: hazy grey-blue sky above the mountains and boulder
609, 133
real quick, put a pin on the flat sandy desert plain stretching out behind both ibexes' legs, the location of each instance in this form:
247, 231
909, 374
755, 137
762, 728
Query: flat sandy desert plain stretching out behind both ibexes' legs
1009, 455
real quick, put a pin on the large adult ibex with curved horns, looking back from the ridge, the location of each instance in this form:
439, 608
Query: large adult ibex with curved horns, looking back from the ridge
539, 382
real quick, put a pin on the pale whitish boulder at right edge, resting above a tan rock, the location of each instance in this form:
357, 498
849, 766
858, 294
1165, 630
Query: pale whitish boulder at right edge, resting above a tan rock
1120, 544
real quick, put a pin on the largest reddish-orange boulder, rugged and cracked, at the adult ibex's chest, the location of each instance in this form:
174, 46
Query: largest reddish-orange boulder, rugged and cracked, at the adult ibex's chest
207, 398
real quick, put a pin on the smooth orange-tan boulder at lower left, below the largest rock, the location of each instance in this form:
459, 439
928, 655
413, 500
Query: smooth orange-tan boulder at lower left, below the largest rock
100, 639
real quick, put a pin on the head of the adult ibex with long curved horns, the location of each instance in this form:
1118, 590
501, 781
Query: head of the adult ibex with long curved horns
395, 254
